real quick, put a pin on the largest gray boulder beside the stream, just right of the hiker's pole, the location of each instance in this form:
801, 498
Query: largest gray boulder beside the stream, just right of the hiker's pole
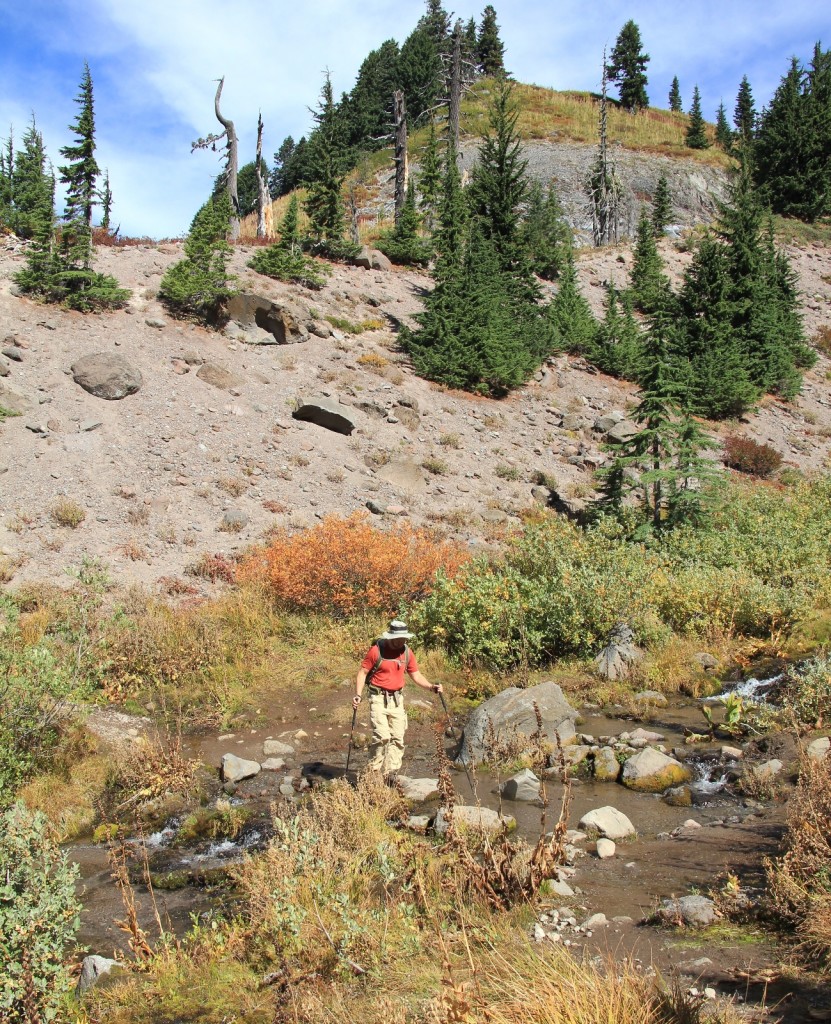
511, 714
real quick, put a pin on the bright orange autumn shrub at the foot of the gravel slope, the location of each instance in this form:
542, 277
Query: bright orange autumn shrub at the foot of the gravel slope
349, 566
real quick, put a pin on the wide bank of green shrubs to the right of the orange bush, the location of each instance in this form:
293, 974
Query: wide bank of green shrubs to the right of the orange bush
761, 564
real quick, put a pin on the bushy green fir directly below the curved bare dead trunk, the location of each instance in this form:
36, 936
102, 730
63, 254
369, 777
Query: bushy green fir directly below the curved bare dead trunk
197, 286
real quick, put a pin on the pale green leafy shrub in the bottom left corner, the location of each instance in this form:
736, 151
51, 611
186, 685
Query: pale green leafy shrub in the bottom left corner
39, 917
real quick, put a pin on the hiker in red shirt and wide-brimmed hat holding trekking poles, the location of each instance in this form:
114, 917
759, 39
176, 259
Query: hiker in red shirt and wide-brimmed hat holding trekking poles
382, 672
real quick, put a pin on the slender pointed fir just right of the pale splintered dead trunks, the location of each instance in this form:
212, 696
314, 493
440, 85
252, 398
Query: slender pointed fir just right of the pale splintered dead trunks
328, 169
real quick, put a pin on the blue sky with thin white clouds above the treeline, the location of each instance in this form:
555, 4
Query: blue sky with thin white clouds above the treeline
155, 65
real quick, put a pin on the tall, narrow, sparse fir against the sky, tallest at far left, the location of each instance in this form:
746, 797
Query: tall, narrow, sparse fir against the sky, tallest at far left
80, 177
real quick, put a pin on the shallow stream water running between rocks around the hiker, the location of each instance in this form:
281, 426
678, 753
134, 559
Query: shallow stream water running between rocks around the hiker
192, 870
